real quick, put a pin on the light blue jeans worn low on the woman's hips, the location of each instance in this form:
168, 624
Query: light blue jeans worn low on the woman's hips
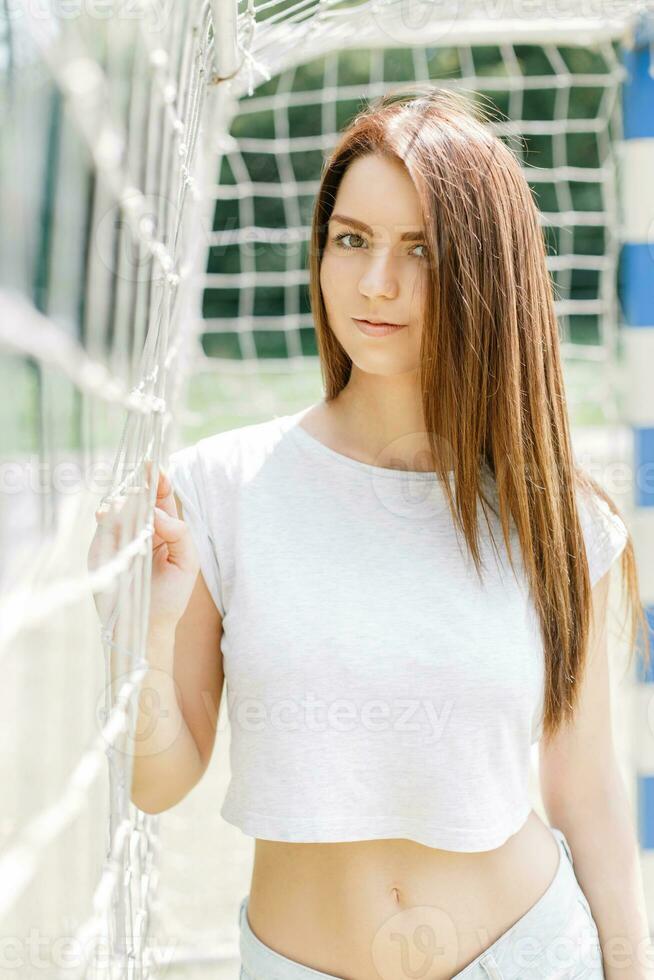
556, 939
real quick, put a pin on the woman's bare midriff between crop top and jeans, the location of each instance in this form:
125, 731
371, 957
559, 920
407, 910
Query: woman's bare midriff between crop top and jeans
361, 910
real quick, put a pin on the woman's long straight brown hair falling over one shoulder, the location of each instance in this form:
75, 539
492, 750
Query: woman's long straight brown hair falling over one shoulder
491, 377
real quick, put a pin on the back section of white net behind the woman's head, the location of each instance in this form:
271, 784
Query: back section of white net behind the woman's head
552, 88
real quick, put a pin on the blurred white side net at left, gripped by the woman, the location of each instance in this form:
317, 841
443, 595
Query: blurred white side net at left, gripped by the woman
100, 206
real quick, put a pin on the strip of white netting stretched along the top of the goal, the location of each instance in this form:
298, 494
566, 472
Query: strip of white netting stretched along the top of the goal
272, 34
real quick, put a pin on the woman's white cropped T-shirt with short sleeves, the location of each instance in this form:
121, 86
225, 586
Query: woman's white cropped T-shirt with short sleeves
375, 688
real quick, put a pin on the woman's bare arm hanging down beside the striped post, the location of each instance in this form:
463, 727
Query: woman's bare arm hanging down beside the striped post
584, 795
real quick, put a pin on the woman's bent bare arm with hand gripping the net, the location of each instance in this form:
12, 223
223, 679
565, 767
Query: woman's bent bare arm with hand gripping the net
180, 692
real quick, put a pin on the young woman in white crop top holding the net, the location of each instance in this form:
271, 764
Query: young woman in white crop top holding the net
404, 586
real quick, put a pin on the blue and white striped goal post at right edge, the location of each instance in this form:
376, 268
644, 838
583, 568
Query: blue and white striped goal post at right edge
637, 301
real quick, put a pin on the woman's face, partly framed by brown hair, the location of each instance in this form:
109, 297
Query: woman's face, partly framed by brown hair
375, 265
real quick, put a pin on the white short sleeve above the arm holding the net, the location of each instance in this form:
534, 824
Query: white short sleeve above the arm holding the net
187, 477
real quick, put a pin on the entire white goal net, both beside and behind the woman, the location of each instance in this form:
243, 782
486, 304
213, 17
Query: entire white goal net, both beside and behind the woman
154, 271
